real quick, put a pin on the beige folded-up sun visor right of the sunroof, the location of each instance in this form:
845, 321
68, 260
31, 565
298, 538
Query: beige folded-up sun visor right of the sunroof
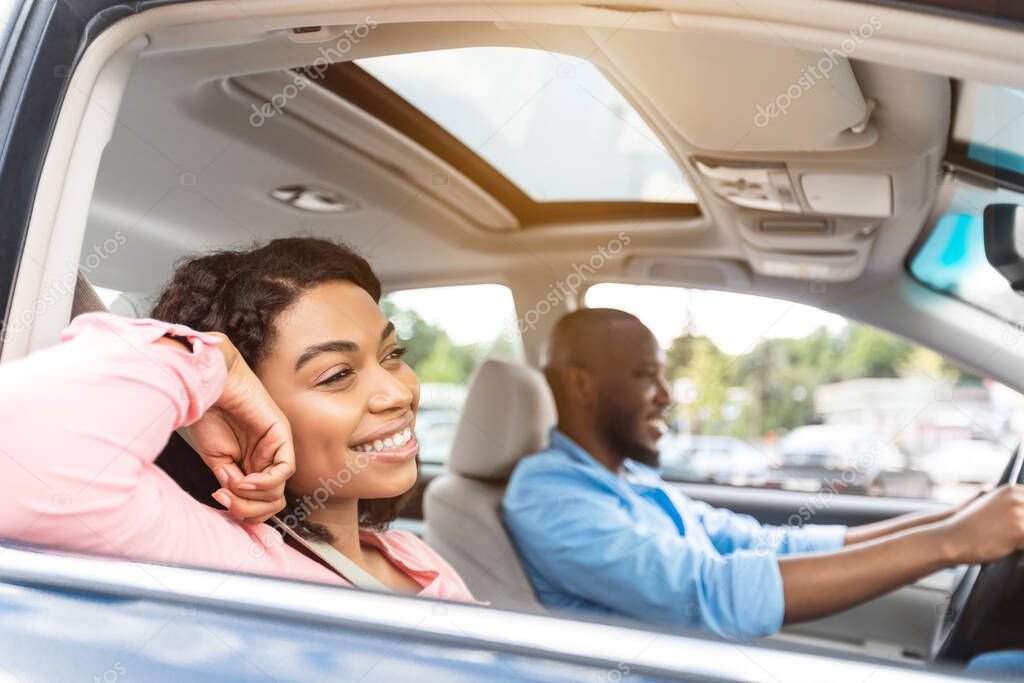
722, 95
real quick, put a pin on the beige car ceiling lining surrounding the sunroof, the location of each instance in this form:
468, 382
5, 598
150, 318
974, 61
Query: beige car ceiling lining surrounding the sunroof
186, 172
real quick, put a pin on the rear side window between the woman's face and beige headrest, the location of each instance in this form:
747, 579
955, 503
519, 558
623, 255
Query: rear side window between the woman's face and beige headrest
445, 345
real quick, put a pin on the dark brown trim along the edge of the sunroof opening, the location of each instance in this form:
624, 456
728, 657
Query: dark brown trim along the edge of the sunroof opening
349, 81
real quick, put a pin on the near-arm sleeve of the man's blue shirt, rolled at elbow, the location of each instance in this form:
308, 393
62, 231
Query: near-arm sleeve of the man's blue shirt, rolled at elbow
573, 531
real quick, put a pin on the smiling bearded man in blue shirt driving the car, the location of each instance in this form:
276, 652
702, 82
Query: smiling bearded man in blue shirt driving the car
599, 531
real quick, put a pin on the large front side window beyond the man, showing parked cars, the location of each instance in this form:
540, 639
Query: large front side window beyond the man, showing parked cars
777, 395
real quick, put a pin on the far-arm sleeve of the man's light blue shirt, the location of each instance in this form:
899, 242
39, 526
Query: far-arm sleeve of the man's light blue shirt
731, 532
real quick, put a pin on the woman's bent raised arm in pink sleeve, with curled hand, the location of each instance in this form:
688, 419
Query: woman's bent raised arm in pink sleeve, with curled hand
82, 422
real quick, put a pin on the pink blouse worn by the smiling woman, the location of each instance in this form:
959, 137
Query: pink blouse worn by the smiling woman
81, 424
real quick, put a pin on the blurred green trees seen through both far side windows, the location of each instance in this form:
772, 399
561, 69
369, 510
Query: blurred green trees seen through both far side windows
769, 390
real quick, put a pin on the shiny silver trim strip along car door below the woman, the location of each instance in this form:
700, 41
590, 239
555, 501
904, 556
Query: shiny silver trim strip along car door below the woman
595, 644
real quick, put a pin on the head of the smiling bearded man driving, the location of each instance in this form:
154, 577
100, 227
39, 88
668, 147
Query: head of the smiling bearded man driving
607, 373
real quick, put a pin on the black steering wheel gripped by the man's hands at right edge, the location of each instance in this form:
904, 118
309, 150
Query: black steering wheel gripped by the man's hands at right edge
985, 613
